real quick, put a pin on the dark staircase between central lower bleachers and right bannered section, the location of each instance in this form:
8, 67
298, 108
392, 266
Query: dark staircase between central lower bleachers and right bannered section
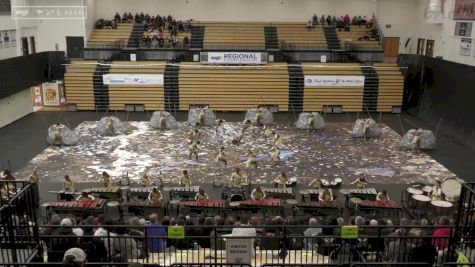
296, 85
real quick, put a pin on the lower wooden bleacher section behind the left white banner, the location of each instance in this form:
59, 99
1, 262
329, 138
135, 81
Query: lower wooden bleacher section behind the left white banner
151, 96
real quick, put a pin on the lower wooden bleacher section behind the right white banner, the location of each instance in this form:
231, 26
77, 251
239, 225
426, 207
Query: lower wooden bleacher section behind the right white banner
315, 98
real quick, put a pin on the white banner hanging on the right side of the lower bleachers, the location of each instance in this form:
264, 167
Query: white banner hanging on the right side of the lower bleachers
333, 81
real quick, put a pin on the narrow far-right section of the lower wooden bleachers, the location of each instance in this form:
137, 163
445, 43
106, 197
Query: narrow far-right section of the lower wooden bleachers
391, 86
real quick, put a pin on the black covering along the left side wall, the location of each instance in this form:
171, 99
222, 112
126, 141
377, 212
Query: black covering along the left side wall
20, 73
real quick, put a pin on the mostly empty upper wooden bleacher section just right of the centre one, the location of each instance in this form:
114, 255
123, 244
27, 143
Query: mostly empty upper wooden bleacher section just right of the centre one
296, 34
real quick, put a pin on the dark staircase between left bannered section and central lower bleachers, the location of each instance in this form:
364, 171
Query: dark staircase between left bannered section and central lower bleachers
171, 87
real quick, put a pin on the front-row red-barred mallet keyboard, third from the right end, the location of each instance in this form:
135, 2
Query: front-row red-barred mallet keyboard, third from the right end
267, 206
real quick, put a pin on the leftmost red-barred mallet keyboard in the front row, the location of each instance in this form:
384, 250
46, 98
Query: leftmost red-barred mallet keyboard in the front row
76, 207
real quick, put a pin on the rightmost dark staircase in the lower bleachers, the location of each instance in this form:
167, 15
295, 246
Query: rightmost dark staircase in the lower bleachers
371, 86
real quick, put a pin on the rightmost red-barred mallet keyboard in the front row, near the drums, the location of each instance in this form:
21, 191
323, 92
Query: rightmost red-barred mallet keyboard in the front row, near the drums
388, 209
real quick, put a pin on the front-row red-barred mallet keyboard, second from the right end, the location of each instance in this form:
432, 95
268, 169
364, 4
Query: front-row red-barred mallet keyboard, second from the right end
318, 208
